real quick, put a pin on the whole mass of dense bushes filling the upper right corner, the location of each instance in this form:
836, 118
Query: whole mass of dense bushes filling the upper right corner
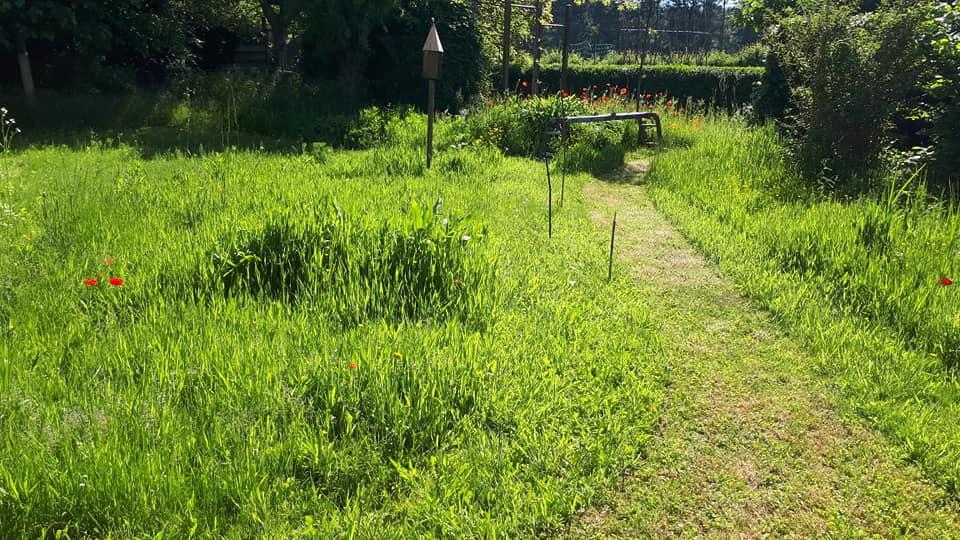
858, 90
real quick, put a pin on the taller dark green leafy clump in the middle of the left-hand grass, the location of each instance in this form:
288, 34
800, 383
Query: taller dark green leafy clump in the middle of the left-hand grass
423, 268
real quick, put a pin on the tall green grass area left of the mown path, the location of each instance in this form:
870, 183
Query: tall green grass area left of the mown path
303, 347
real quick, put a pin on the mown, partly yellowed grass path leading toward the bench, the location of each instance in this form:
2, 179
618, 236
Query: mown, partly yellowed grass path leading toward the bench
751, 443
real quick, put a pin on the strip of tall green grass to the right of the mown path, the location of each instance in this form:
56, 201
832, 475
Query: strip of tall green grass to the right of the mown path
858, 278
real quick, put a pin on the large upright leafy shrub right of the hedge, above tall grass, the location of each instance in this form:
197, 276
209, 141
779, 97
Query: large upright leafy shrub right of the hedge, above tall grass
847, 73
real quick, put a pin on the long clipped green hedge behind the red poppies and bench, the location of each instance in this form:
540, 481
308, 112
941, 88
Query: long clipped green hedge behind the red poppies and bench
721, 86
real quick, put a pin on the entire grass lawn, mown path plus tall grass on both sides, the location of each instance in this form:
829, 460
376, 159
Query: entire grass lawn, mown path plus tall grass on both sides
342, 343
